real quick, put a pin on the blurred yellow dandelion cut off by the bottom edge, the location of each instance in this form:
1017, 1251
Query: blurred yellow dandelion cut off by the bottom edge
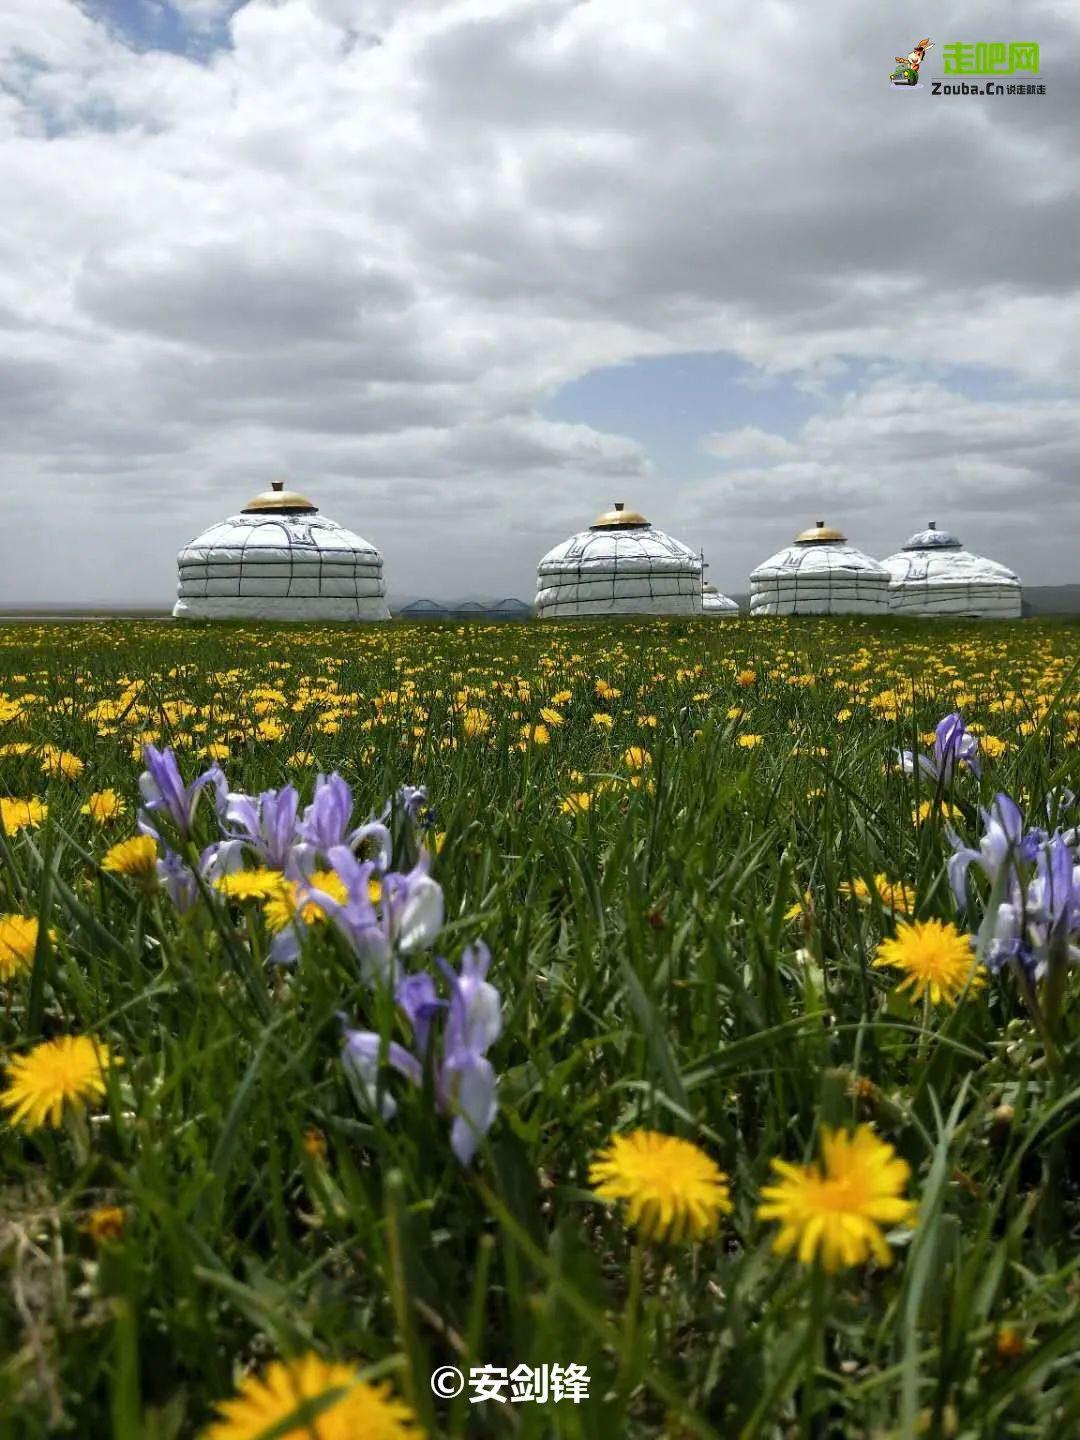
267, 1403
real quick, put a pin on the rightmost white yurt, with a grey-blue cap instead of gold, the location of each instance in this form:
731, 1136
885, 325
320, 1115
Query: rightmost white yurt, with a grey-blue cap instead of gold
935, 575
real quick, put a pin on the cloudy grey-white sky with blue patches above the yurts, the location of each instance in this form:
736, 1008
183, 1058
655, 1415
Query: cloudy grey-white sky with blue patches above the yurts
467, 271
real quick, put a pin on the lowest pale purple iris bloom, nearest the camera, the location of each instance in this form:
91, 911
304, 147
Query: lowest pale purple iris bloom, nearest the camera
466, 1084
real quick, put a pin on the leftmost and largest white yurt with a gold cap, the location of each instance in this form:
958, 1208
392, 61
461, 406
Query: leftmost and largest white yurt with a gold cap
280, 559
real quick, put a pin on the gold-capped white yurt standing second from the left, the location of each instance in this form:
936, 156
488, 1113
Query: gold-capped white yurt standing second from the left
621, 565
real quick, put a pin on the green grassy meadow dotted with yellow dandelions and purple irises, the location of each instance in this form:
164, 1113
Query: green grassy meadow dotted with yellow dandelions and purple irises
685, 846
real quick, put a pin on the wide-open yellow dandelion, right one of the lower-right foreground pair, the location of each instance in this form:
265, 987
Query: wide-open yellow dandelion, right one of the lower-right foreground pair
837, 1207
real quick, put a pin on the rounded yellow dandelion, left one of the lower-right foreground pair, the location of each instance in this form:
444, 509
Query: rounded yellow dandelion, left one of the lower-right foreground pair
672, 1189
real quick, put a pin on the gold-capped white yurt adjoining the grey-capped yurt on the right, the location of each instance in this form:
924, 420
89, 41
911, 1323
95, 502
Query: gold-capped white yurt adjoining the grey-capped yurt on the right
820, 574
